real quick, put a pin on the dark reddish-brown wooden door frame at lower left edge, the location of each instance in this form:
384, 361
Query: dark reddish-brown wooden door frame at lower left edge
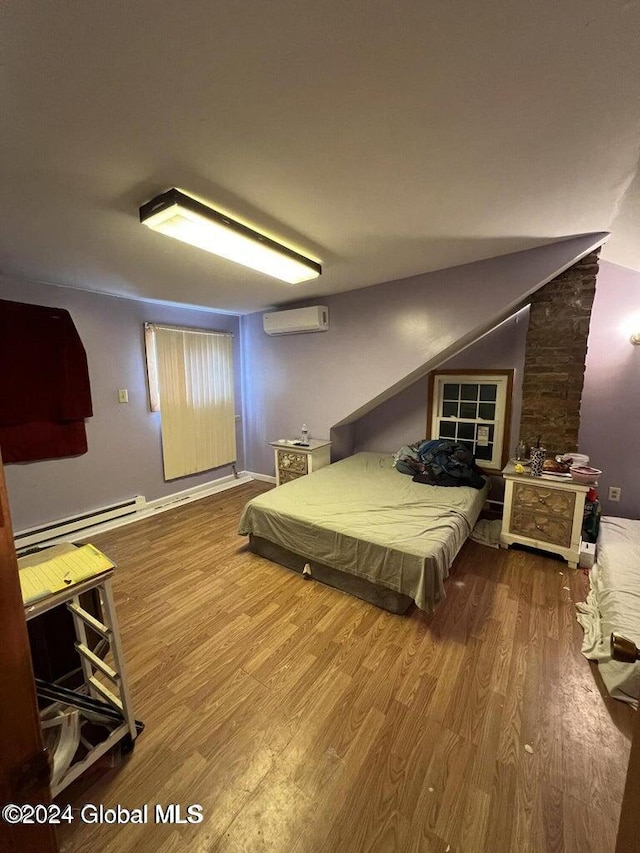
24, 768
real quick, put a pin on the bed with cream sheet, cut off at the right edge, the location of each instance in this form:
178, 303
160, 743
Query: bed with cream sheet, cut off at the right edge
613, 605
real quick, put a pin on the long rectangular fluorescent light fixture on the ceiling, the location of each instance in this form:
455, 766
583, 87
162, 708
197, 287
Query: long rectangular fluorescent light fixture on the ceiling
178, 215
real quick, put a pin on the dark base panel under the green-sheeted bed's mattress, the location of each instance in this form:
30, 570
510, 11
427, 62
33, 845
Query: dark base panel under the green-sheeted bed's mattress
387, 599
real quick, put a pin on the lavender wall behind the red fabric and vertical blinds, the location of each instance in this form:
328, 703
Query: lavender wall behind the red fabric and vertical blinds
124, 457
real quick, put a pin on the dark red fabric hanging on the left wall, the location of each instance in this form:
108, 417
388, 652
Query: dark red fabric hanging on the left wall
45, 393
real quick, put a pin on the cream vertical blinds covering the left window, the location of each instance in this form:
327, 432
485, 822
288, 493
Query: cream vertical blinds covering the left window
194, 390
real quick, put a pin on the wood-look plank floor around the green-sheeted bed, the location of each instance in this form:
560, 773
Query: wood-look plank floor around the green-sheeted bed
303, 720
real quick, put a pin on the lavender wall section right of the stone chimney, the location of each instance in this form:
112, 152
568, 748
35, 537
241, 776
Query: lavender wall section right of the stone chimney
610, 414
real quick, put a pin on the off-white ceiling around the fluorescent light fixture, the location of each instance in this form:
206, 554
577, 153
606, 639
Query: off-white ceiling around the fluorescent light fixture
385, 139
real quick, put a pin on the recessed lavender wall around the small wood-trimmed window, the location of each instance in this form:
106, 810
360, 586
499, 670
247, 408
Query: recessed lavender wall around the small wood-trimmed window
403, 418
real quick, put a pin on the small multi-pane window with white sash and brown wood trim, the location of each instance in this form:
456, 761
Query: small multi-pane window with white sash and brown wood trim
472, 408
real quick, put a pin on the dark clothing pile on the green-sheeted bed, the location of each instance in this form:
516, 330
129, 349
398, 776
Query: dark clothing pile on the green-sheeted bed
439, 462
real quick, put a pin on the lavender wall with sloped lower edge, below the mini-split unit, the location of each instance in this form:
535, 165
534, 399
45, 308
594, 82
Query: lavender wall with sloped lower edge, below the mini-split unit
381, 339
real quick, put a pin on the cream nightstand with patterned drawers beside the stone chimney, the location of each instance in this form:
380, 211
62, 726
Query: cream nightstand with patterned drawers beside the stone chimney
543, 512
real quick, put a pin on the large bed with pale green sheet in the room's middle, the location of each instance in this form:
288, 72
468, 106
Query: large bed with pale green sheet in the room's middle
365, 528
